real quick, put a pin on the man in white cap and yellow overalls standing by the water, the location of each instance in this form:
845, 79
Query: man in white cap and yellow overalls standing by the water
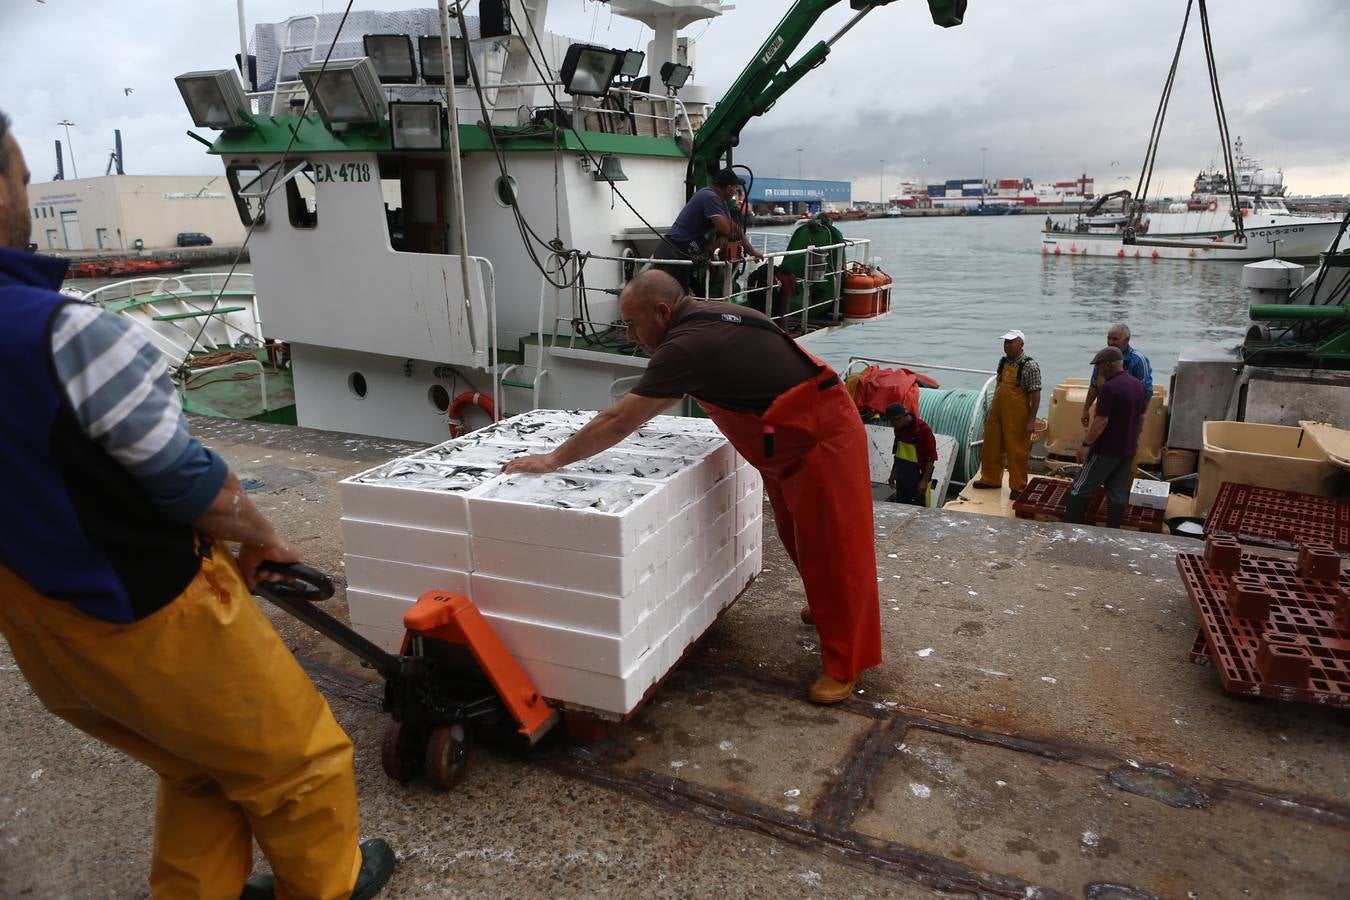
1008, 430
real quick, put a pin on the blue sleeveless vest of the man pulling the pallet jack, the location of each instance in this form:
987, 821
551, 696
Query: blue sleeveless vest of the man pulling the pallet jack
75, 524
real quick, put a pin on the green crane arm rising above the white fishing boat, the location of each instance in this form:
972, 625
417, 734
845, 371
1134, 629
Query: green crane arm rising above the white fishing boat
769, 78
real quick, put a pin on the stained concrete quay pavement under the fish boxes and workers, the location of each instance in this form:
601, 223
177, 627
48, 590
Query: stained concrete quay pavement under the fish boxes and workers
1036, 729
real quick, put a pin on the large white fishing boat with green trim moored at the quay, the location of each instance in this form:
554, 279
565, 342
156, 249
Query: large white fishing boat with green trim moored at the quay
441, 219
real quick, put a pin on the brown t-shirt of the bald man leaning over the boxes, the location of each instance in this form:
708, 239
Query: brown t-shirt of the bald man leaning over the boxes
739, 368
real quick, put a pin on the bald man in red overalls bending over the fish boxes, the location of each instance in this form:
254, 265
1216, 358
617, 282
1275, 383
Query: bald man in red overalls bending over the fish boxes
789, 416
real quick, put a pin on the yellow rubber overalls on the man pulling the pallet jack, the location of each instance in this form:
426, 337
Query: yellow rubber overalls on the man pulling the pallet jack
205, 693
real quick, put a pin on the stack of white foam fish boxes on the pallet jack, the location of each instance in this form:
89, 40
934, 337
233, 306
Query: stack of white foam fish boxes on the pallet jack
597, 578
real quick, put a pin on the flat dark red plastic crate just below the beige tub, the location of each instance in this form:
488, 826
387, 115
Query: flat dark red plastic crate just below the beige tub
1271, 517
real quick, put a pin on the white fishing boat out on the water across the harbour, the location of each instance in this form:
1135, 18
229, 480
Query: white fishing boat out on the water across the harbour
1202, 227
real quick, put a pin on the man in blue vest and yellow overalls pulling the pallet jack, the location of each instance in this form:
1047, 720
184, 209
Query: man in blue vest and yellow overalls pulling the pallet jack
130, 617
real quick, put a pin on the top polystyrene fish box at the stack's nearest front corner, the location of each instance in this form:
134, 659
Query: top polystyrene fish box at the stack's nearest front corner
610, 517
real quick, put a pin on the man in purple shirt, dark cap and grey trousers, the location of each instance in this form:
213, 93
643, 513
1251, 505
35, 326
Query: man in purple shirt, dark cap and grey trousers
1112, 441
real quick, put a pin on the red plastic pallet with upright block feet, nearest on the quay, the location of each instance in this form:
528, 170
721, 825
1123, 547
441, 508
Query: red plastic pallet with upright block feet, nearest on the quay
1303, 613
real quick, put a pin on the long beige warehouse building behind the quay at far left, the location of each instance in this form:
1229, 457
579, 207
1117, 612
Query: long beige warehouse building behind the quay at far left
114, 213
